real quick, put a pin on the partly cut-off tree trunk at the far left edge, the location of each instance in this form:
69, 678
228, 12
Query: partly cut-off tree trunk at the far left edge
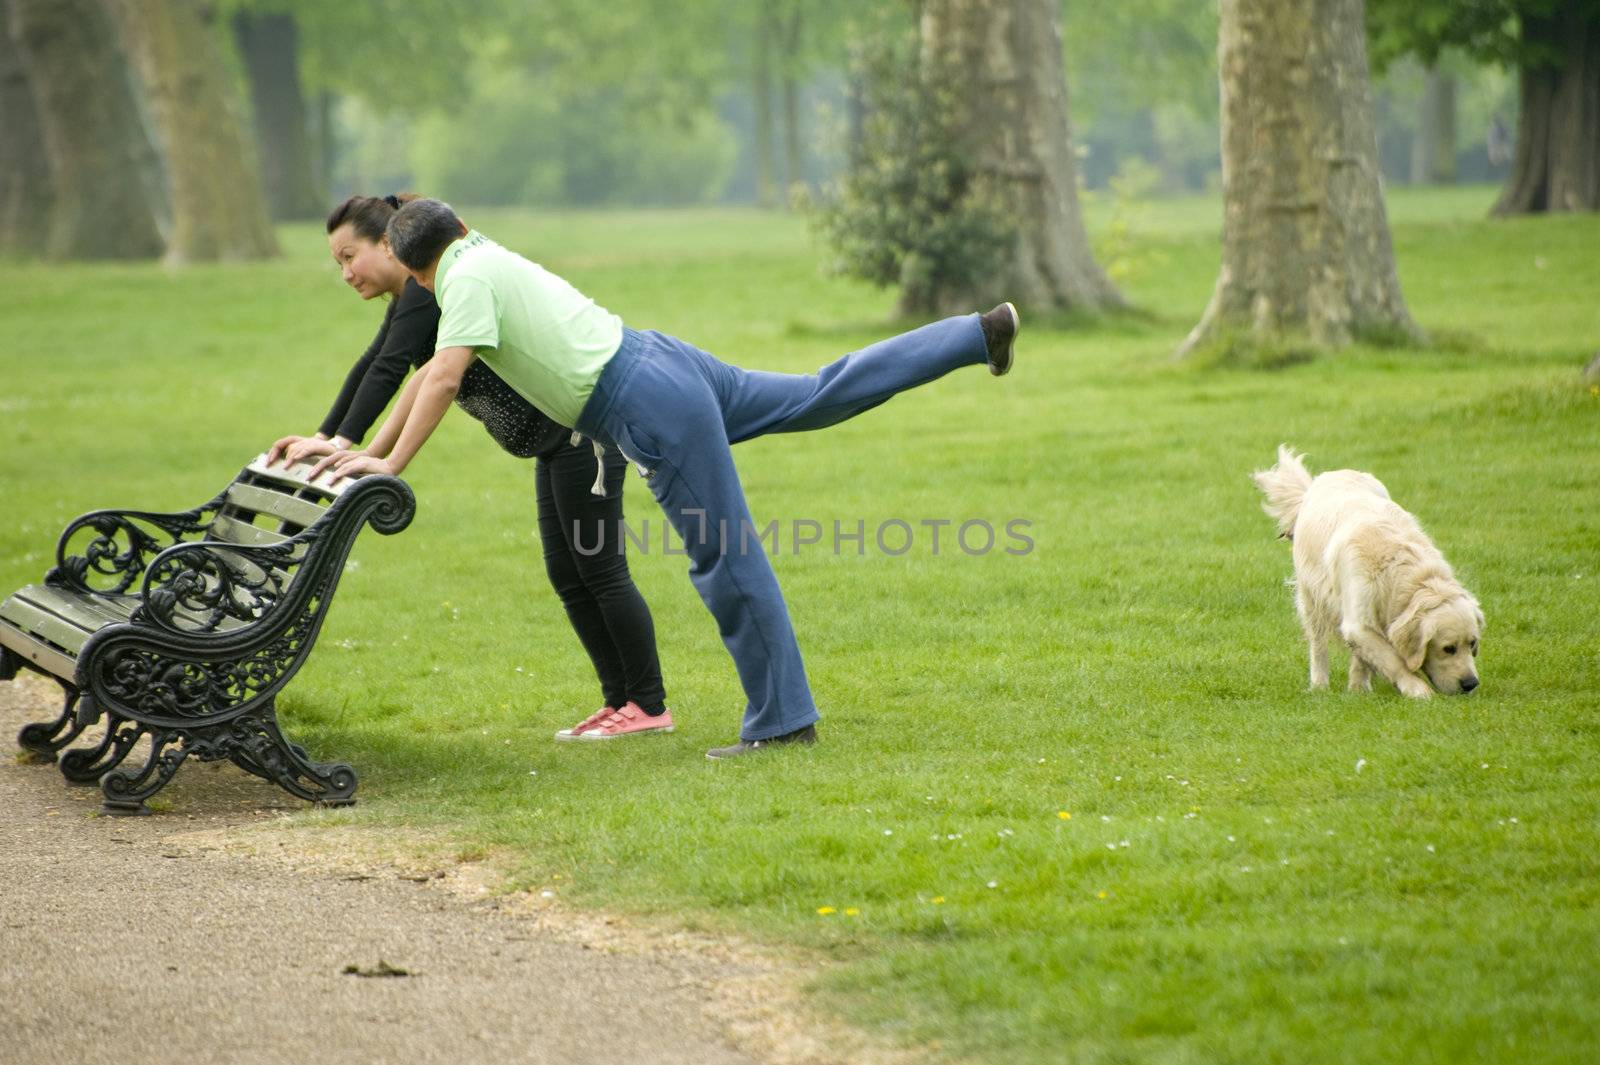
25, 174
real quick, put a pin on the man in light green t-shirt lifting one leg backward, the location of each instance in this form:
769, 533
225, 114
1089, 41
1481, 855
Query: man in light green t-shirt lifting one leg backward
670, 409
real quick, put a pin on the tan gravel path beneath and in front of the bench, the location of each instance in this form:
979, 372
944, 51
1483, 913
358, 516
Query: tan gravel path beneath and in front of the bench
206, 935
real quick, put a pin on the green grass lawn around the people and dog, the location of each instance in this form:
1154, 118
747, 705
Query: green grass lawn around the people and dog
1250, 872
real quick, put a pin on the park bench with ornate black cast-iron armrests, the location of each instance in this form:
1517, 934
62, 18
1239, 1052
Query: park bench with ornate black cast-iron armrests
180, 629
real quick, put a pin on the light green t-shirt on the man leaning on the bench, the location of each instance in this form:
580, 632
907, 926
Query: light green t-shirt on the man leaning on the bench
542, 335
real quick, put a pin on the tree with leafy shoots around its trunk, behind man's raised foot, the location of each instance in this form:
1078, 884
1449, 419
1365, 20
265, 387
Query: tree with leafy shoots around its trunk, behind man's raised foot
966, 185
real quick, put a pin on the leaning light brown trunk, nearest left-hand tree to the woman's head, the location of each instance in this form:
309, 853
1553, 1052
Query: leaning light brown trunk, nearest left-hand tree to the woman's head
218, 210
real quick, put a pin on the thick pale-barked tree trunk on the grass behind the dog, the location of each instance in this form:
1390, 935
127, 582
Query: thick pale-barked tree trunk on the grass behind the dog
1305, 233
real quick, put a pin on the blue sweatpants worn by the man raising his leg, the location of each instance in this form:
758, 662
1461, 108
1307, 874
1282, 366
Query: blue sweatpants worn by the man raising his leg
674, 410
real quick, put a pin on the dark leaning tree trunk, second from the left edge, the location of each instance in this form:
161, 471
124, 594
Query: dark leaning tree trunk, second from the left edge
95, 143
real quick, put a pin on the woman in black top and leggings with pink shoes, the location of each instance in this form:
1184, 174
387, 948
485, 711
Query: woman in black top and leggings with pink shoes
580, 513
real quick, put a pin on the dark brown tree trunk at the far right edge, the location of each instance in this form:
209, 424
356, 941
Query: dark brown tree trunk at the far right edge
1558, 162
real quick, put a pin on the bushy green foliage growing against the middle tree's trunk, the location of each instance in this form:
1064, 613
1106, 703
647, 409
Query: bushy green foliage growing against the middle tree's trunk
910, 212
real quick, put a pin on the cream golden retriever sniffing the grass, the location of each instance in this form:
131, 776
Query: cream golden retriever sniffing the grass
1366, 570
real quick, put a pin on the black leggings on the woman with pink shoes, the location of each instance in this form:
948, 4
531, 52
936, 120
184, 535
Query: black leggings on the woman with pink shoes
601, 599
